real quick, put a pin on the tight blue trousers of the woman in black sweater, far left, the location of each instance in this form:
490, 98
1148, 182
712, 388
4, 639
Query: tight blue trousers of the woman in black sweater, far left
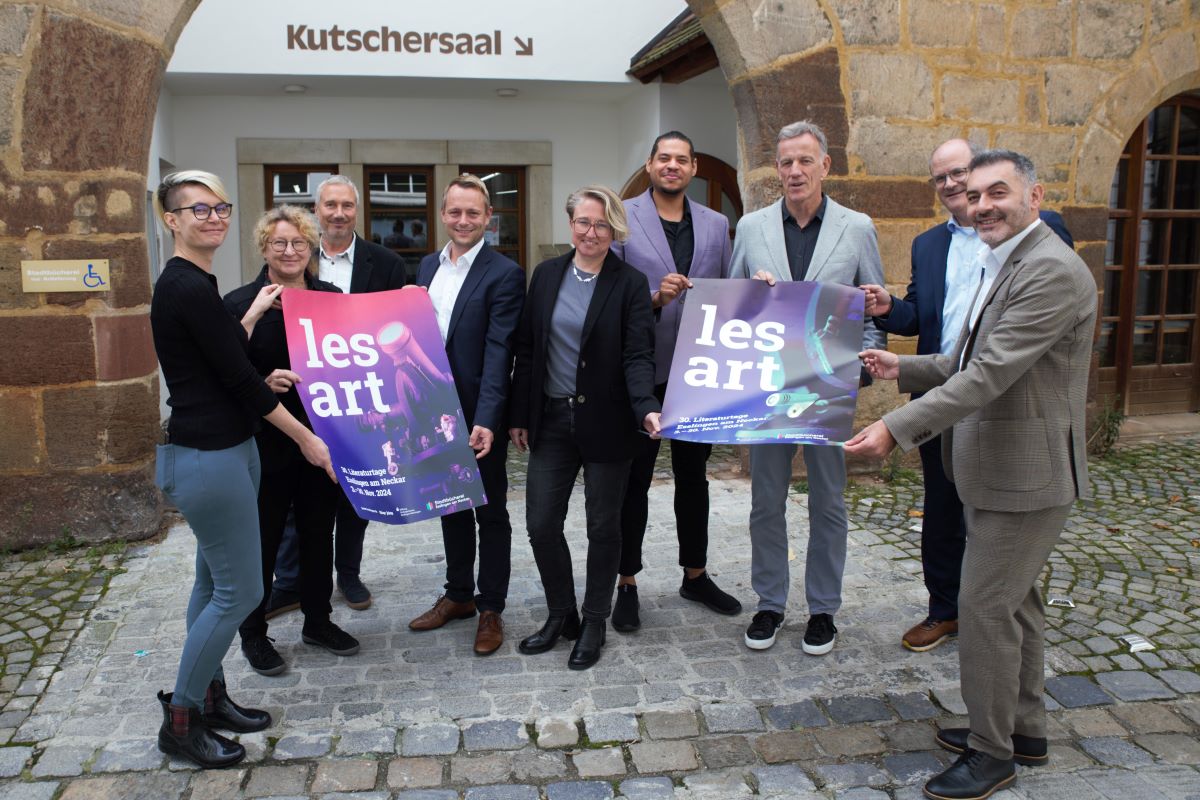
218, 494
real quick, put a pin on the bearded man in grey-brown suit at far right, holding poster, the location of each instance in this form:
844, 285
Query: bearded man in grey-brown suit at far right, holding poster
1010, 404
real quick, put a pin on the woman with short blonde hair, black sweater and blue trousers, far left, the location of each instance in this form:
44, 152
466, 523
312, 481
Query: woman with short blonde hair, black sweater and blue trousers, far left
211, 468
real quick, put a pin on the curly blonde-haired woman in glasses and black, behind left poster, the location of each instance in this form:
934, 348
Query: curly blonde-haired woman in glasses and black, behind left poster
287, 238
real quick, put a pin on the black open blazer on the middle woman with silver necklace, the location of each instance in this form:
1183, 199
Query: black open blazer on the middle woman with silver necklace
615, 378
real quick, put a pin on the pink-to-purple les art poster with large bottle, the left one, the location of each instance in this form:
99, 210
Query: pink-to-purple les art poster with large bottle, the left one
379, 390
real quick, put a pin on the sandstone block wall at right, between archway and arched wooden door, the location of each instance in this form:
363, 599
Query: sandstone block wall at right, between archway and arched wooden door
1063, 81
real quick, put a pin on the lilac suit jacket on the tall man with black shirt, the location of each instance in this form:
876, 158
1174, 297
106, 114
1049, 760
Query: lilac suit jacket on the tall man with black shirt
649, 251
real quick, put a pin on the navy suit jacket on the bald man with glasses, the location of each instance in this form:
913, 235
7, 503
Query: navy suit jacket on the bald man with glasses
921, 311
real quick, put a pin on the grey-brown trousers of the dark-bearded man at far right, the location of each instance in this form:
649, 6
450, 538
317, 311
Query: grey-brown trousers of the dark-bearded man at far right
1001, 624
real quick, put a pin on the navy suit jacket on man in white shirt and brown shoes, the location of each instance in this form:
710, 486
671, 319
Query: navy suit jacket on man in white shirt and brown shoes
479, 340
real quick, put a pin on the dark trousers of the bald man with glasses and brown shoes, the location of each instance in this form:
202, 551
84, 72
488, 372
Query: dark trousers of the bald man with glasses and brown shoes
944, 534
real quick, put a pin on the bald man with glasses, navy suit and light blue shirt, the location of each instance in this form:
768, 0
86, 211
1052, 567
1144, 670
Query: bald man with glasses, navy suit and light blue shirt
934, 309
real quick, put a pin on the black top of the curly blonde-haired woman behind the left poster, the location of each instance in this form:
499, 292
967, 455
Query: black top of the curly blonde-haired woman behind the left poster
269, 352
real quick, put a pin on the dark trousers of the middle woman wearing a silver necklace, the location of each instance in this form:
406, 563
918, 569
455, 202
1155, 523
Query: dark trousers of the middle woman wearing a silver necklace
554, 466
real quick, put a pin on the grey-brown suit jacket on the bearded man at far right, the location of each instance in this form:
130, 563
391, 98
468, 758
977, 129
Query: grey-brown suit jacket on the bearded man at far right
1015, 416
